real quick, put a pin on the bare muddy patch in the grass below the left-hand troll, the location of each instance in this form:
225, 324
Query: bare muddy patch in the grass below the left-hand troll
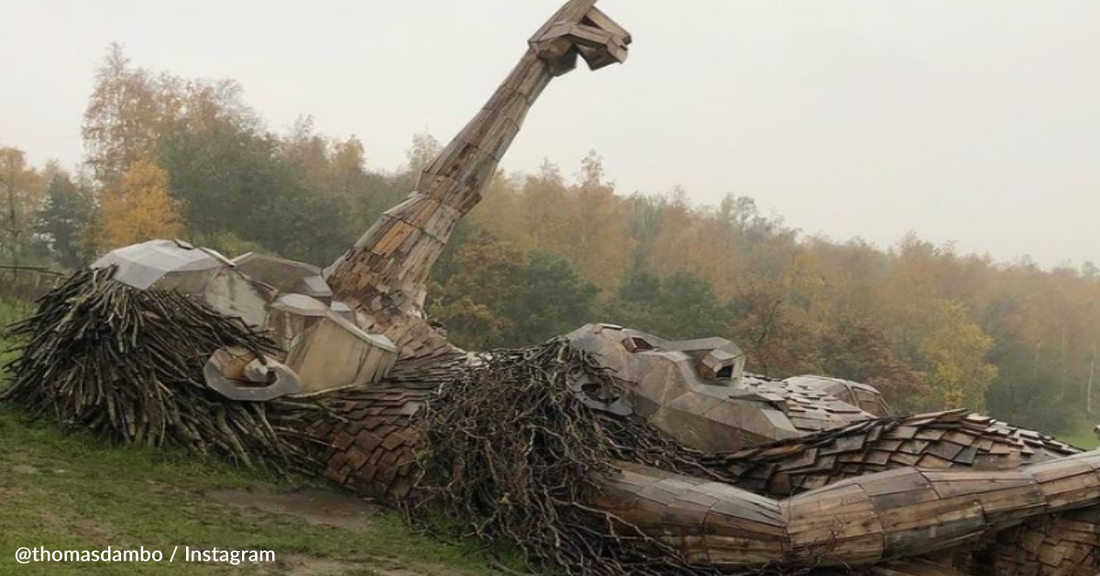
314, 506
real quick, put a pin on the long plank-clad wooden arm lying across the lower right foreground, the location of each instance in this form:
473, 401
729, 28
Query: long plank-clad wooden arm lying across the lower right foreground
860, 522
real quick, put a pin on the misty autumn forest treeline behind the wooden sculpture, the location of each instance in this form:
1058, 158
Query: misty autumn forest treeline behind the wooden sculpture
547, 252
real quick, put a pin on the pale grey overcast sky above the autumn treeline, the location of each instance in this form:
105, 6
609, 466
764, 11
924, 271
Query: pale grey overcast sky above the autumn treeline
976, 121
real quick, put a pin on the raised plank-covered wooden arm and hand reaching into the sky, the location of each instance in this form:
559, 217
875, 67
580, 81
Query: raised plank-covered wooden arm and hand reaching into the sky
387, 270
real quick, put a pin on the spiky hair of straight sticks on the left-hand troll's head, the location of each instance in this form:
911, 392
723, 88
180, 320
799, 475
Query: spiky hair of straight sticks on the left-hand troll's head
128, 364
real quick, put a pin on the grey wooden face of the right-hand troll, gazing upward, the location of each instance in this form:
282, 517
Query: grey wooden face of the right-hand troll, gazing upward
697, 392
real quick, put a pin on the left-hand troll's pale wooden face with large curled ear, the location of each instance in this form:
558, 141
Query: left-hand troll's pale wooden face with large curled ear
325, 347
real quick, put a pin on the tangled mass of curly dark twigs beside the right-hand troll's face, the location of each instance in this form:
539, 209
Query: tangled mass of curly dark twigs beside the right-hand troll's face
513, 456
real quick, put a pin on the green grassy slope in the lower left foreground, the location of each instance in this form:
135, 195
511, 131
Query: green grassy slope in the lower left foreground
71, 492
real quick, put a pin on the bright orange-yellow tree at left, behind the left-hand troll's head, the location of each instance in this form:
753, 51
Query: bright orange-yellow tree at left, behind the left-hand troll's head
138, 208
